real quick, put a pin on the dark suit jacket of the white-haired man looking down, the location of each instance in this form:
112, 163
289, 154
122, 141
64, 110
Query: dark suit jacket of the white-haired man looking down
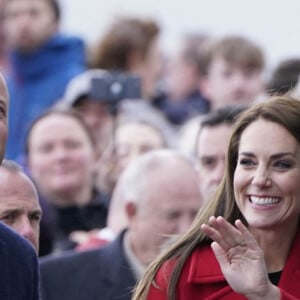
92, 275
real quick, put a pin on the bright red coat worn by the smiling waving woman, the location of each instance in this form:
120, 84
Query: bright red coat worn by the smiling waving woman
202, 278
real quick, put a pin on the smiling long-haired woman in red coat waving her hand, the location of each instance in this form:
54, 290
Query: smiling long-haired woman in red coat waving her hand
245, 243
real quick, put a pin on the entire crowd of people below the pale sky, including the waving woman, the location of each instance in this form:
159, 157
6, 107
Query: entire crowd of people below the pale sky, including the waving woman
129, 173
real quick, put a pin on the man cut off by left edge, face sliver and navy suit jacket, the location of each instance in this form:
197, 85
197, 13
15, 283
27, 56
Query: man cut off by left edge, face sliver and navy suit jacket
19, 267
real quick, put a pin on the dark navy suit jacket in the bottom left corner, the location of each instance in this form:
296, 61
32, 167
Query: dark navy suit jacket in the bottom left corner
18, 267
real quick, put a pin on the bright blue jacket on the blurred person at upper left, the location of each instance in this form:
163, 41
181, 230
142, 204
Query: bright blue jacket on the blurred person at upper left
37, 80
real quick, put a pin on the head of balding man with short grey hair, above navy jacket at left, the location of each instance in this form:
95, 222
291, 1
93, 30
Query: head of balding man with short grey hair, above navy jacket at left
19, 202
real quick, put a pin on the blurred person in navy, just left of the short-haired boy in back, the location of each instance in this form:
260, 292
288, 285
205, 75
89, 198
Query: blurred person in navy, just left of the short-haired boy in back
183, 98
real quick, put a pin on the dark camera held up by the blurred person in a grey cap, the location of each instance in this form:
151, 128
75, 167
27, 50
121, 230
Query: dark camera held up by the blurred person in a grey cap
115, 86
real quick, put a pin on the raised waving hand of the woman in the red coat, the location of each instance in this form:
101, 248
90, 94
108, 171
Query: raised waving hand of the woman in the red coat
240, 258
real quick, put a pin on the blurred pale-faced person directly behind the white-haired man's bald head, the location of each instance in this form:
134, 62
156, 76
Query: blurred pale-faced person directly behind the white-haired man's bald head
133, 136
